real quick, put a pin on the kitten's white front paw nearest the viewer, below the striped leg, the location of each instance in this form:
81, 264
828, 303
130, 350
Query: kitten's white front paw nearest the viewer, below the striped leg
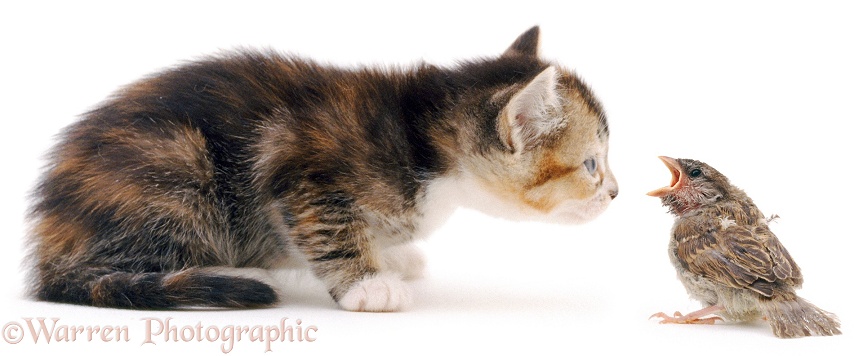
382, 292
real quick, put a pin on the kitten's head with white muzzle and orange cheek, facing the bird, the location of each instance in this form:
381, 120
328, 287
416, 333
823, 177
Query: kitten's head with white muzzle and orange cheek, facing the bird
548, 159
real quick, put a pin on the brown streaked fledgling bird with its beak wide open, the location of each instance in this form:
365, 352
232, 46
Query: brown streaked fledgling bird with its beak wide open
727, 257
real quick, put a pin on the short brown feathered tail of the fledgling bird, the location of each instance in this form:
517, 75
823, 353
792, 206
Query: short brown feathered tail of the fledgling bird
793, 316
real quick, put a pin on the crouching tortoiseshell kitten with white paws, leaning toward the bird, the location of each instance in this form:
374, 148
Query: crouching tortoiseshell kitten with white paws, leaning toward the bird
186, 187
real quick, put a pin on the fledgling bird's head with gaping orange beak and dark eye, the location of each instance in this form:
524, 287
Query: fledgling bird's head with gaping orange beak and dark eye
693, 184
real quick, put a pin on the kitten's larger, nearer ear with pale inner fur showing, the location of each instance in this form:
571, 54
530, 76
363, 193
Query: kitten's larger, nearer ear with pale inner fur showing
532, 113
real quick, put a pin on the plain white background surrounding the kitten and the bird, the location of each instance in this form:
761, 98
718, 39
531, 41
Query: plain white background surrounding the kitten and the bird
767, 92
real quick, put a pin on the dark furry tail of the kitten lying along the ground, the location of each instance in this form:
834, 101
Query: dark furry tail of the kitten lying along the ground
105, 287
